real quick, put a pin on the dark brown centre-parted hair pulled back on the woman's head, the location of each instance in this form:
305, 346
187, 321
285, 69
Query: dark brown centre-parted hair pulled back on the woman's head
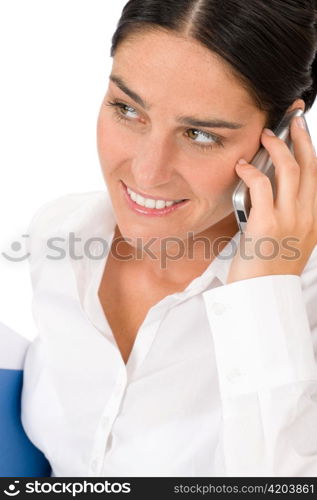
270, 45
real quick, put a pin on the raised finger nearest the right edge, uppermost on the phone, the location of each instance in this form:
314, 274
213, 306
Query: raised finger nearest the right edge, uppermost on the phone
305, 155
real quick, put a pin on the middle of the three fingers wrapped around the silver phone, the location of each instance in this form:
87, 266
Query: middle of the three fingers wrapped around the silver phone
287, 172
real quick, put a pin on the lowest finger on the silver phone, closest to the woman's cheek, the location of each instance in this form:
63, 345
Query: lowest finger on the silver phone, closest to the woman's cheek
261, 193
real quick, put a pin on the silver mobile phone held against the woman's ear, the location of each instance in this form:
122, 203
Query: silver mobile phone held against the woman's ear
241, 196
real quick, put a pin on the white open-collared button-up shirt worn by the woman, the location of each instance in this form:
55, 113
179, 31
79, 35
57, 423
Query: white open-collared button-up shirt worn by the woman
221, 380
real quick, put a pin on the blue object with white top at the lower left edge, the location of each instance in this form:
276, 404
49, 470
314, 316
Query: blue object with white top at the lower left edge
18, 456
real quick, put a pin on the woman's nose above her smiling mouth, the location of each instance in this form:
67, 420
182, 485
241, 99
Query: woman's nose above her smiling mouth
153, 163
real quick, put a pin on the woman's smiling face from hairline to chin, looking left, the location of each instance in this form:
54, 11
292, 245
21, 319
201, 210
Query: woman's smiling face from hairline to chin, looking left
155, 142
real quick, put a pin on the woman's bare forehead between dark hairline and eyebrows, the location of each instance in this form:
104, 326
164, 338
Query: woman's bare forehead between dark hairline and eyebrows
166, 68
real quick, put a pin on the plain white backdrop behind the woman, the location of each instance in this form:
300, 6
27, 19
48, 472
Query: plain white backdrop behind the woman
55, 64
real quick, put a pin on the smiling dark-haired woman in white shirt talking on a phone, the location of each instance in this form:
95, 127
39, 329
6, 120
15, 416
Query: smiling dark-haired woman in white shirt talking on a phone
163, 350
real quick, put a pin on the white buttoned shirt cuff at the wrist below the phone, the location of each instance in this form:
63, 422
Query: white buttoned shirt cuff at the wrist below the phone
261, 334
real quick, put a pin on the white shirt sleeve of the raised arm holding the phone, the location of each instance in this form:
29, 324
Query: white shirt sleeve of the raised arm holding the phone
264, 343
